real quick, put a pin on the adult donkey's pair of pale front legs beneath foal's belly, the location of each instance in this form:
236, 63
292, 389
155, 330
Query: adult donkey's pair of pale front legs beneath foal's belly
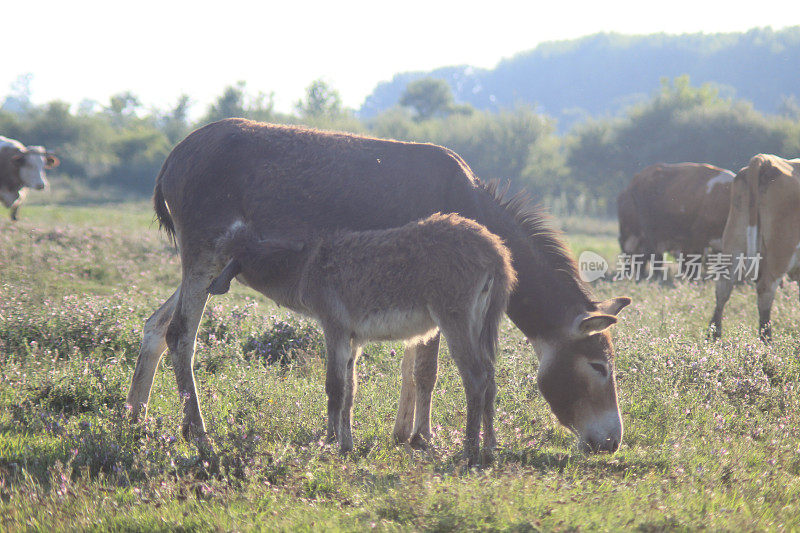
419, 363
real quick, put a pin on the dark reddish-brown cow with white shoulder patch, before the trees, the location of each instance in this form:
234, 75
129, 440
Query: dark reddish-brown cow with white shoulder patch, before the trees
677, 208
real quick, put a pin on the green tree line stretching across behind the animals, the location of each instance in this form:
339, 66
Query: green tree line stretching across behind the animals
121, 145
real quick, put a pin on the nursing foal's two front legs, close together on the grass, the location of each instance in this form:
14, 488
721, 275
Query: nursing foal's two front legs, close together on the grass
339, 350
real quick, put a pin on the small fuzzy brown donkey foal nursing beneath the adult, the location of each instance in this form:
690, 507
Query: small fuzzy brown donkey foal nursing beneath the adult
444, 273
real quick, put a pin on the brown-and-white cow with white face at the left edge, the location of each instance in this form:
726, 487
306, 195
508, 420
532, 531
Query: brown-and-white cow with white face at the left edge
21, 168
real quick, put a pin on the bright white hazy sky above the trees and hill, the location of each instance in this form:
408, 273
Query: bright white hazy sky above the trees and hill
161, 49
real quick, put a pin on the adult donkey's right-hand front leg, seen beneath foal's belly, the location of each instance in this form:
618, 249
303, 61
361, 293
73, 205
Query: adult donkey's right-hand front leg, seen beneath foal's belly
426, 367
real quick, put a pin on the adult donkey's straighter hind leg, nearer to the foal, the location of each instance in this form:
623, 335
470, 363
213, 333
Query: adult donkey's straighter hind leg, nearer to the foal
181, 338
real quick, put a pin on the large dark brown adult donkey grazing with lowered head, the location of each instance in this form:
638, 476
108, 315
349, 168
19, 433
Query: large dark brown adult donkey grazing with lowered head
290, 182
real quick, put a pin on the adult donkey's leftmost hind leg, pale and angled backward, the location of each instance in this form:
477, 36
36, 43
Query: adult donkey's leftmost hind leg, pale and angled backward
154, 344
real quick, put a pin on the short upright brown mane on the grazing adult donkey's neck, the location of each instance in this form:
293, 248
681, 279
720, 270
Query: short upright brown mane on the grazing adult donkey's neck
535, 224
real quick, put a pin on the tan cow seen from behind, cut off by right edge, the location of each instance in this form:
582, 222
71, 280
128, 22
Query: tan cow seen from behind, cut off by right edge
764, 219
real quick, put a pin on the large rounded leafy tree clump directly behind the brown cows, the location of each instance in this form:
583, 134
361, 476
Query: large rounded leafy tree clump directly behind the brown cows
679, 123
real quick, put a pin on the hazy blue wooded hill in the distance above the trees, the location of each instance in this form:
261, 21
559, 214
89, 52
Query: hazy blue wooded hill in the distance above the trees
603, 73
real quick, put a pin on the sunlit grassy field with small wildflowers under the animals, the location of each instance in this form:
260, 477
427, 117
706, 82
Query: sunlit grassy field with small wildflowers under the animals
711, 438
